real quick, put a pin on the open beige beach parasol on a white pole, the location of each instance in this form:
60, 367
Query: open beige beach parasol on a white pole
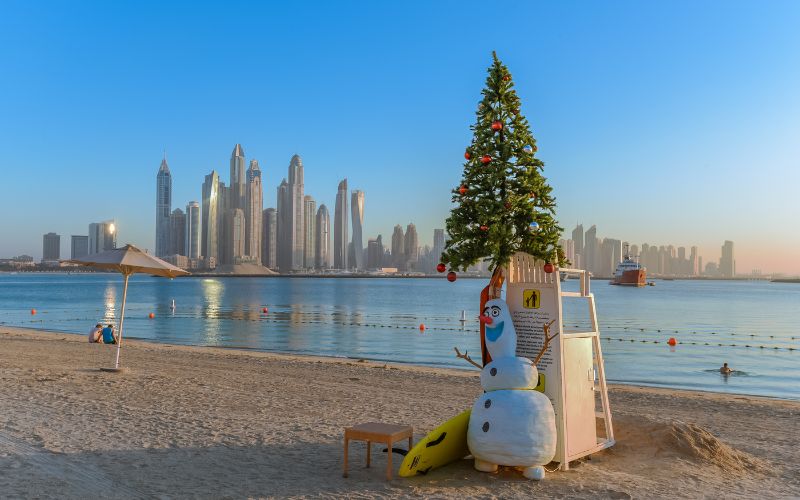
128, 260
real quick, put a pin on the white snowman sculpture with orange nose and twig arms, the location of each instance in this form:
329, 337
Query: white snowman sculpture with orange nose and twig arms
511, 424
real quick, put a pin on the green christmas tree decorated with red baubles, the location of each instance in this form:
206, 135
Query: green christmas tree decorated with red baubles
503, 204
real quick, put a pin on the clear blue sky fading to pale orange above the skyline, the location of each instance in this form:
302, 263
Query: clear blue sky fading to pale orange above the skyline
661, 122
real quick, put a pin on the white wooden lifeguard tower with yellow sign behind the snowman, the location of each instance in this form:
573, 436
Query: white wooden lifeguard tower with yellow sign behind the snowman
571, 372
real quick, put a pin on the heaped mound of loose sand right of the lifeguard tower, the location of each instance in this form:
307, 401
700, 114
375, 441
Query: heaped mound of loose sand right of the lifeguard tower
644, 439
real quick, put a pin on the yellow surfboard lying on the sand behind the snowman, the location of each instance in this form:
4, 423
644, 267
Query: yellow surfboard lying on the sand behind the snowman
446, 443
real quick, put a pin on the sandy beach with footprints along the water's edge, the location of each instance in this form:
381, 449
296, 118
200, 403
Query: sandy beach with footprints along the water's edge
193, 422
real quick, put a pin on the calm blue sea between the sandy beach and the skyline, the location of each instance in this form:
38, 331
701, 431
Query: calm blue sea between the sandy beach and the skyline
754, 326
